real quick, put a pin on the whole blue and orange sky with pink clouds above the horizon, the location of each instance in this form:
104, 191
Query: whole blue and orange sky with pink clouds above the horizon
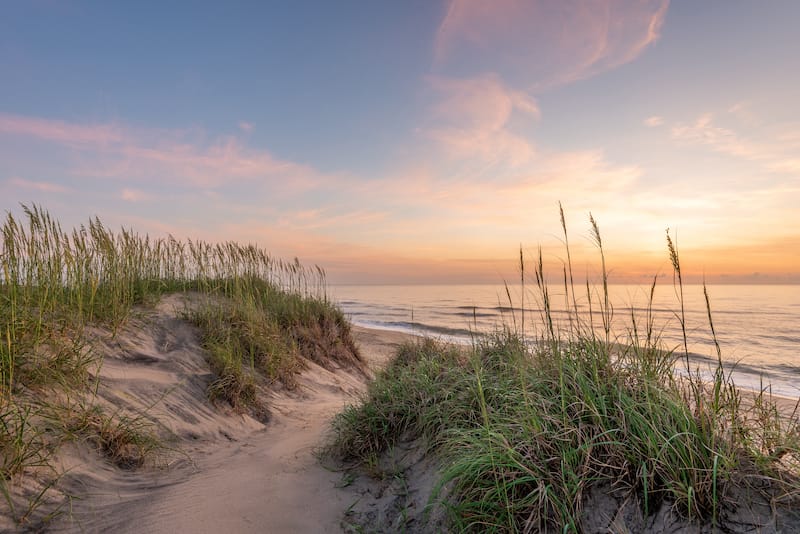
420, 141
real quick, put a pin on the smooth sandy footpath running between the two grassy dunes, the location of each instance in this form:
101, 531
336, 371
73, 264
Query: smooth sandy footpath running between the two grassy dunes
270, 481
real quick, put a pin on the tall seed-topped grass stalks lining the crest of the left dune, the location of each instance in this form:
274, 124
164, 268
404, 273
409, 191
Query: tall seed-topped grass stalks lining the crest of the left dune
54, 283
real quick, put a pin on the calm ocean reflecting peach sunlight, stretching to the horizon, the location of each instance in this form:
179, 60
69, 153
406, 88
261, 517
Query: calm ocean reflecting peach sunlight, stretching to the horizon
757, 326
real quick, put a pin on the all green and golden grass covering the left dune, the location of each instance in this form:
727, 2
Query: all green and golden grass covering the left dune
259, 318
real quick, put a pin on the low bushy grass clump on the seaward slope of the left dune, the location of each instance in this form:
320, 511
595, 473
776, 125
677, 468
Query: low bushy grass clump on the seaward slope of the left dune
255, 332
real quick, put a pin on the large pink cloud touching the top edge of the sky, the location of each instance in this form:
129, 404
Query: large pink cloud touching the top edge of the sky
542, 43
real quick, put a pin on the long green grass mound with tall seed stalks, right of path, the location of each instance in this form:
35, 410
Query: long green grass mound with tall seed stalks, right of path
529, 426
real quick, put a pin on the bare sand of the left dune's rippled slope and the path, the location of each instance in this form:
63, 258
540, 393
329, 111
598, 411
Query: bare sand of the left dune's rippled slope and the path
228, 472
